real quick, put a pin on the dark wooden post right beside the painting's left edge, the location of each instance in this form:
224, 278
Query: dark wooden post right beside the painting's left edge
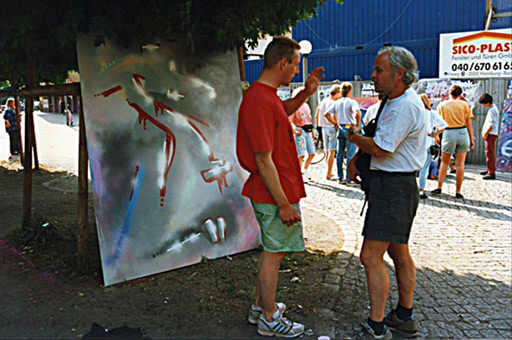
83, 187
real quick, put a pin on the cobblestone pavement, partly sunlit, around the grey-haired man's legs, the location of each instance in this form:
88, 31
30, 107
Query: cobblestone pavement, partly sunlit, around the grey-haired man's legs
462, 250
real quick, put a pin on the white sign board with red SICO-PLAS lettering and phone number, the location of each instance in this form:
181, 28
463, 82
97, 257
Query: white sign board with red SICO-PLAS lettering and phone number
480, 54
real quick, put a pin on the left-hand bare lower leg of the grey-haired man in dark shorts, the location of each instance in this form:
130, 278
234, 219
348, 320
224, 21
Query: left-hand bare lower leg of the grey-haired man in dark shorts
376, 276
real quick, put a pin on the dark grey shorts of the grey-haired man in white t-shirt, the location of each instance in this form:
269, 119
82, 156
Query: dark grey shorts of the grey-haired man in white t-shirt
392, 205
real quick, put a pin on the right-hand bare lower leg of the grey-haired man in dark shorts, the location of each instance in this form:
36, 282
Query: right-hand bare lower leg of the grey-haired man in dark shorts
405, 272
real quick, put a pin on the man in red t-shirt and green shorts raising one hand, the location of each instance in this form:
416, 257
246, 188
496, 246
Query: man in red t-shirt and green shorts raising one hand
266, 148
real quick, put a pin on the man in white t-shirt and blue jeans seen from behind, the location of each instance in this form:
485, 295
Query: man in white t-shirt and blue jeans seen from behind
348, 115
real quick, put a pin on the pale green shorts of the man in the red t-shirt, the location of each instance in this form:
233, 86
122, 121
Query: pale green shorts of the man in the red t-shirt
277, 237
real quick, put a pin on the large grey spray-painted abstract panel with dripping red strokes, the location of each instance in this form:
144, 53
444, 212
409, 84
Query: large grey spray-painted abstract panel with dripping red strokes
161, 125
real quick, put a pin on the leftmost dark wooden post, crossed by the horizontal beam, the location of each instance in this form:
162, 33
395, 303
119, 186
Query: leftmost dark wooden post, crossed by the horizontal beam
27, 167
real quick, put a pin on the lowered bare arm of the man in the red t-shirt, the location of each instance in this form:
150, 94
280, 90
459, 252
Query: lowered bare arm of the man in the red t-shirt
270, 177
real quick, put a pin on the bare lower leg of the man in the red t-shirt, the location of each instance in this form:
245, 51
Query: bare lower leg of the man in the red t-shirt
267, 282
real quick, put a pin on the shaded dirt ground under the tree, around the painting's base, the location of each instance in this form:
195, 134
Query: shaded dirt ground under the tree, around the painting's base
43, 296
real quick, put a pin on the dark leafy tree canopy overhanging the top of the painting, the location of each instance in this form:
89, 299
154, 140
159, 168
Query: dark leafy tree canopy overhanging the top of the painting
47, 30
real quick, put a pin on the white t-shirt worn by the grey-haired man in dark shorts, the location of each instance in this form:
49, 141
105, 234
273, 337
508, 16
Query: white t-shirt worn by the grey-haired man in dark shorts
401, 131
